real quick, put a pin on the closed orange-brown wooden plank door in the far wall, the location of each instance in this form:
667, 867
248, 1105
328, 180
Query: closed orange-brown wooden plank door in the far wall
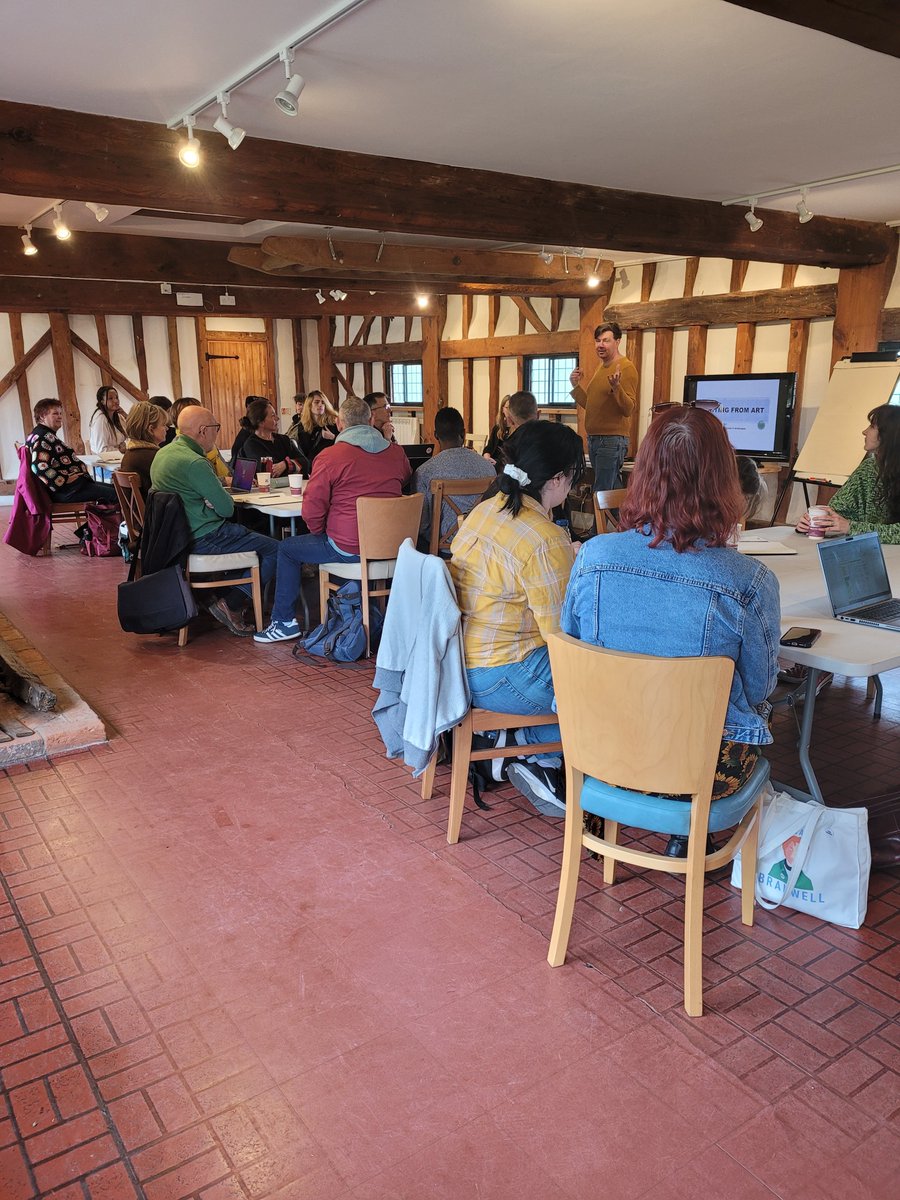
235, 367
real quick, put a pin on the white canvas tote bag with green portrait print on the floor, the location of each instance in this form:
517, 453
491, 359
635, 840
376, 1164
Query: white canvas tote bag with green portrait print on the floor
812, 859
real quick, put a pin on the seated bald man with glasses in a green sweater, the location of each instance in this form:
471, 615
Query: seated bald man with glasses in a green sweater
183, 467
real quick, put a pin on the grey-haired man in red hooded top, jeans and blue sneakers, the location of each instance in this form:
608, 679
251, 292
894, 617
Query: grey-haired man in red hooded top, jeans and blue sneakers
361, 463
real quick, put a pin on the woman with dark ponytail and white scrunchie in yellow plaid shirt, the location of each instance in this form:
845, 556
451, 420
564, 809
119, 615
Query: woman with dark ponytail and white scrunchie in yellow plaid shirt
512, 565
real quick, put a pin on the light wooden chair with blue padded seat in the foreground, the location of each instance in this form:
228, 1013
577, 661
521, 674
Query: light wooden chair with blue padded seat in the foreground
633, 724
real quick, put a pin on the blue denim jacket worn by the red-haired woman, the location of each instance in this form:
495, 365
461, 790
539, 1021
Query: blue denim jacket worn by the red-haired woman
627, 597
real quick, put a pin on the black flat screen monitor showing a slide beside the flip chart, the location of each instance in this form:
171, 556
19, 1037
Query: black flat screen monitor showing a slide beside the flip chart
755, 410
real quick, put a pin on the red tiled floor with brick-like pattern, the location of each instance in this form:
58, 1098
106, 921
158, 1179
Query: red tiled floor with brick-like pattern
239, 961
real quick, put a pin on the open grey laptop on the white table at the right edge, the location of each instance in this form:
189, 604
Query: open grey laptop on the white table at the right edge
857, 581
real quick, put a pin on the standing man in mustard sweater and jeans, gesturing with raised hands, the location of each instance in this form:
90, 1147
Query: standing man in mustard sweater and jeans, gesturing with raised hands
609, 401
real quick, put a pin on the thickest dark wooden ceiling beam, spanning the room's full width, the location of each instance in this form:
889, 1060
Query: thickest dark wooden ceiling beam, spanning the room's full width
116, 161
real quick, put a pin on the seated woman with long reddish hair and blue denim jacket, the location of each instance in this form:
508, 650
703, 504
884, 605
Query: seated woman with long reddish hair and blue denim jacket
670, 585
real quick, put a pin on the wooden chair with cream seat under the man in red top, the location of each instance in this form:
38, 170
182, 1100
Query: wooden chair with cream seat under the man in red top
385, 524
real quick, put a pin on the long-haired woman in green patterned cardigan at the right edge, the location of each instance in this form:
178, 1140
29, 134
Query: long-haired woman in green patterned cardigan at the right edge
871, 500
